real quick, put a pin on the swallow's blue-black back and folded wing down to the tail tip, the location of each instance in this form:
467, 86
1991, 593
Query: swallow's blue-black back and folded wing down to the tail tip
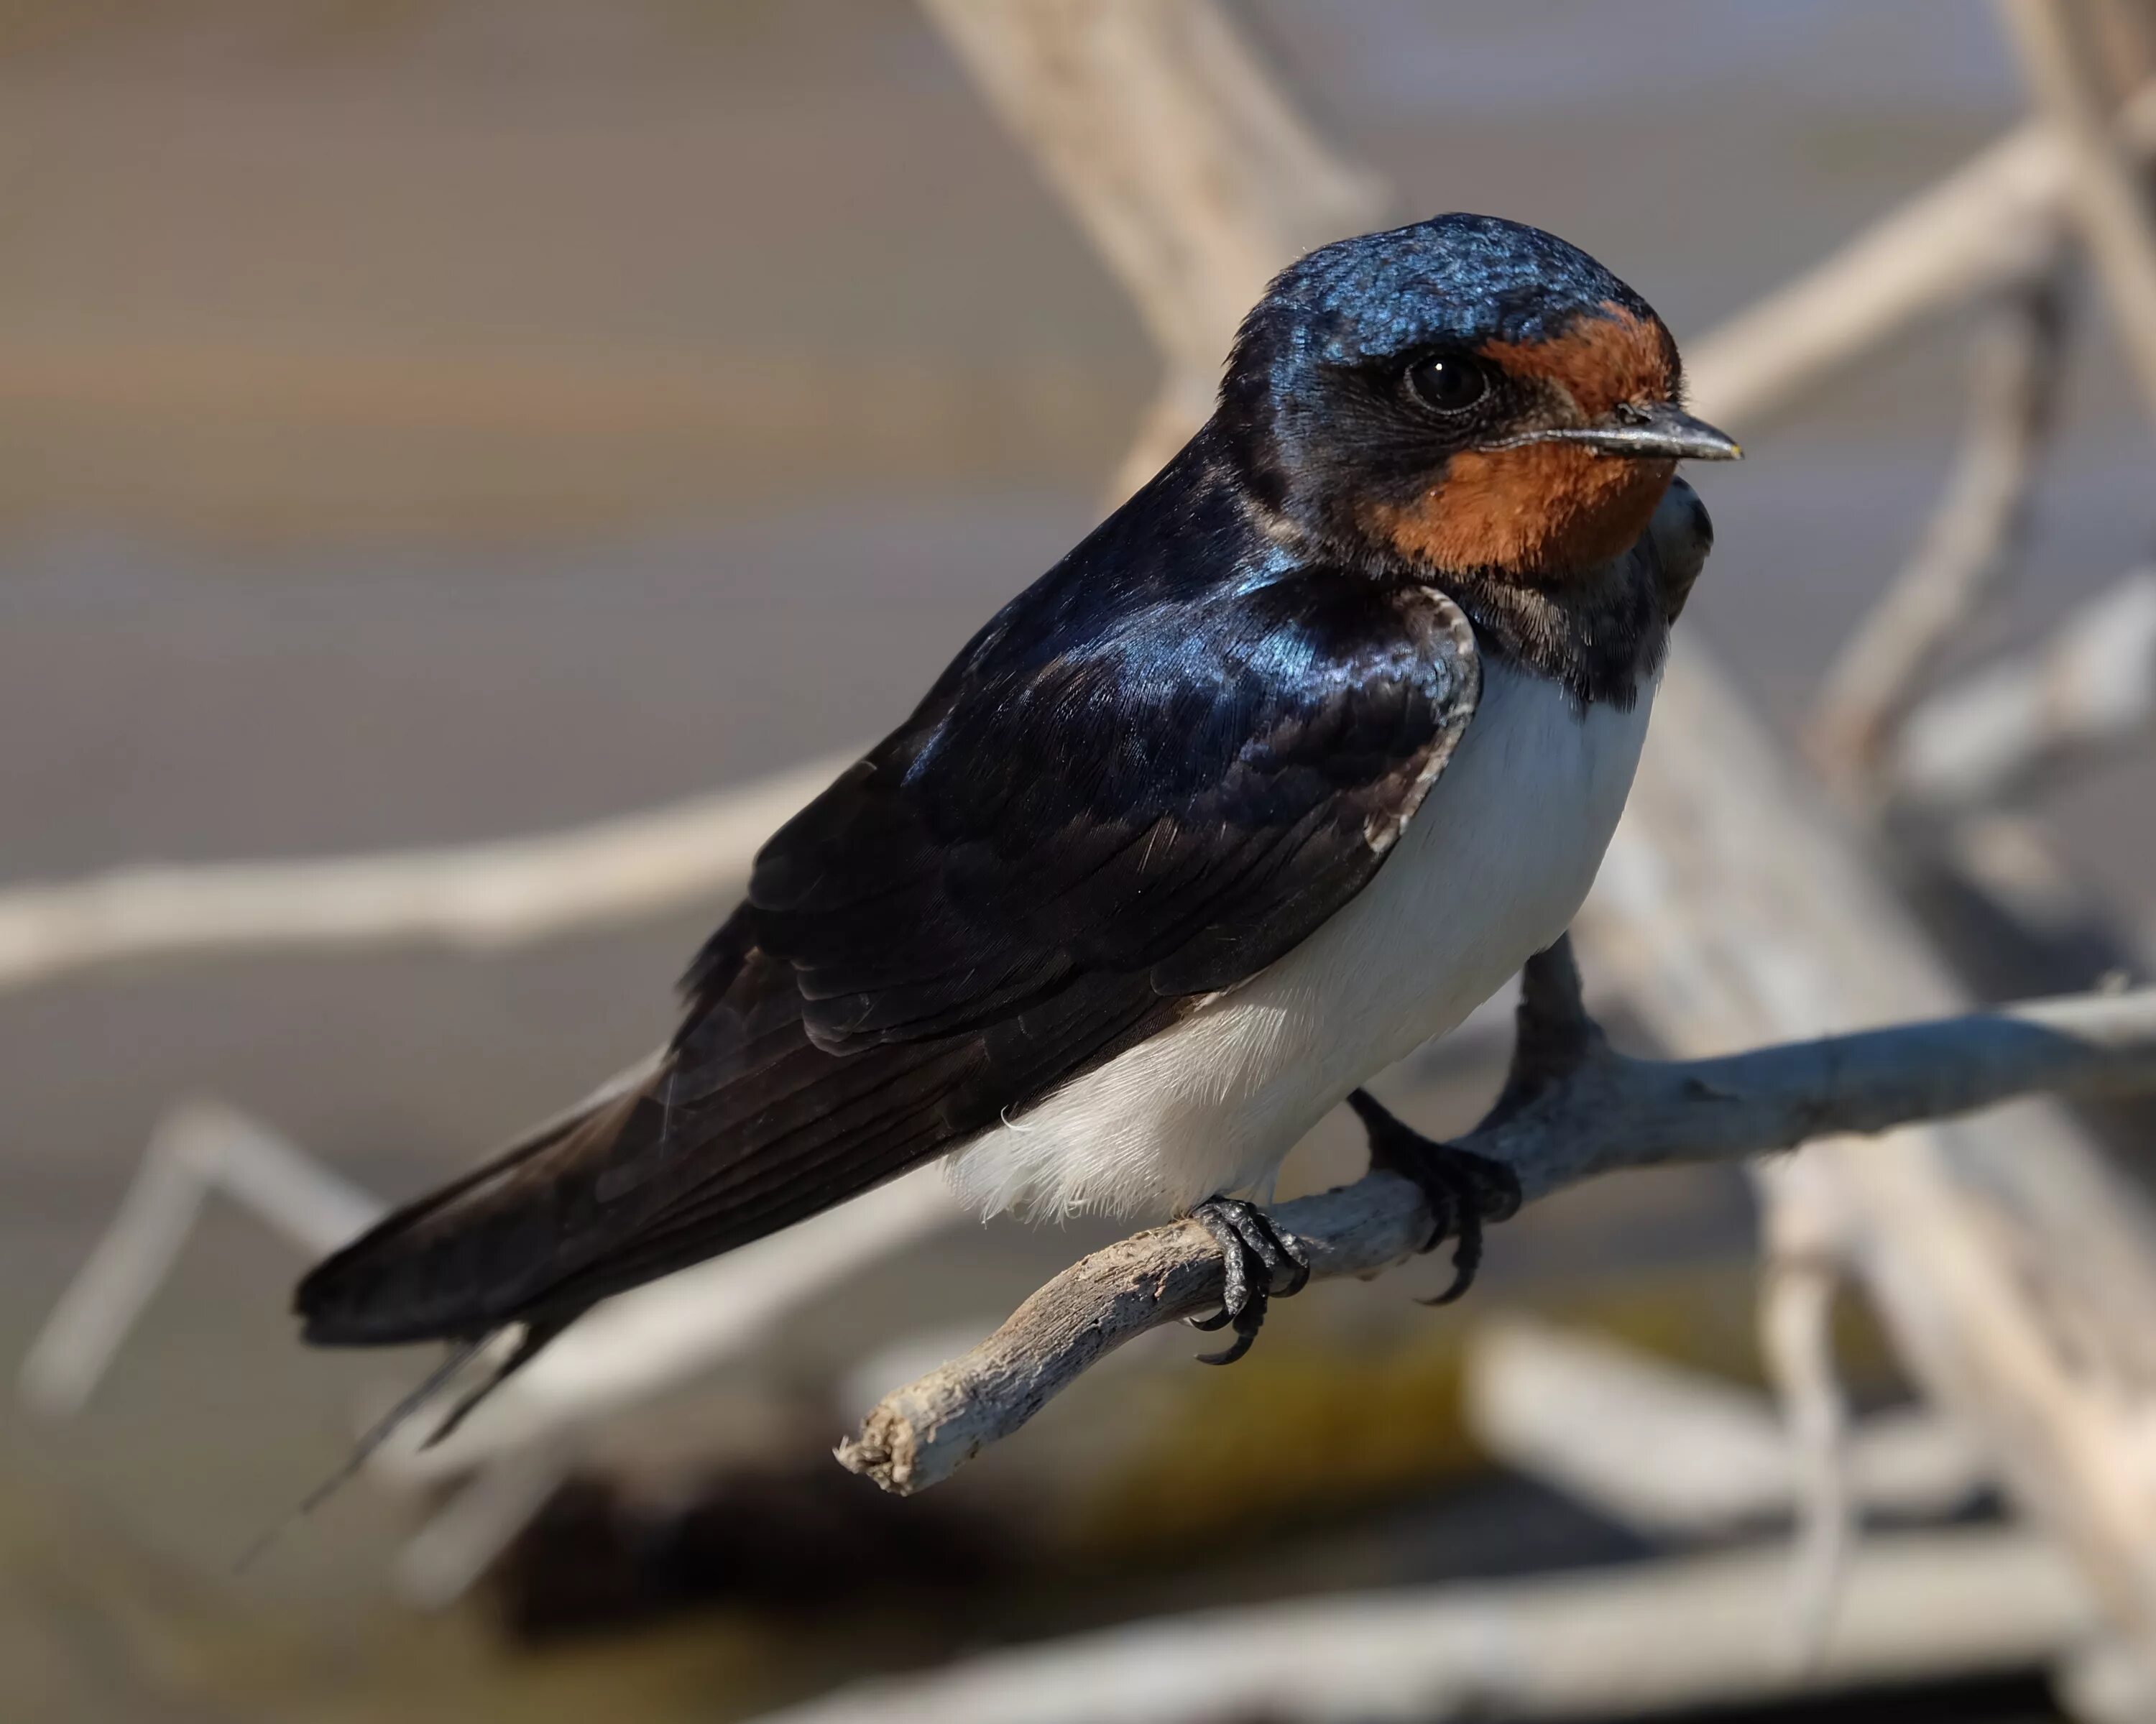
1144, 781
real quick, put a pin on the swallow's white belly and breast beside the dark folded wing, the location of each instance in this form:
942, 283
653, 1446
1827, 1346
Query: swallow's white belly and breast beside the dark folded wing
1489, 874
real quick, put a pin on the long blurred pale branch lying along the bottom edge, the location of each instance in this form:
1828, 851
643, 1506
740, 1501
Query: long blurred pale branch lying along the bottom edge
1644, 1639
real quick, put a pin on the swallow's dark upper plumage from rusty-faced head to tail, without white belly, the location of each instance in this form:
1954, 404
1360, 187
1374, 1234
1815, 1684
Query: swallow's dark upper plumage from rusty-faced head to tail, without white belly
1150, 777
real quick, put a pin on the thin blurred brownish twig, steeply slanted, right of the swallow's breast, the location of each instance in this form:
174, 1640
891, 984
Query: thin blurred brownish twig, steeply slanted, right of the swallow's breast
1967, 553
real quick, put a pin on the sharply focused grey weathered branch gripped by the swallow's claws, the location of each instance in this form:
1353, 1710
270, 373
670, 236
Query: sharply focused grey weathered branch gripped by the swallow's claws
1603, 1113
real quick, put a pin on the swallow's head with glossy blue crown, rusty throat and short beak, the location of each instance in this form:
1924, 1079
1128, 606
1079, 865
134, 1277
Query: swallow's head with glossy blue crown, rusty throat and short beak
1463, 393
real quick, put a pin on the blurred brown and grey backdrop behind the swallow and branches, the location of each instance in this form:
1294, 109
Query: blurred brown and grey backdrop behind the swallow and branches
426, 421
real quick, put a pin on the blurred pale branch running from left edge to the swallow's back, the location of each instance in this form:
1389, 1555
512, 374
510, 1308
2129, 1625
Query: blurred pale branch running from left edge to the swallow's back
473, 898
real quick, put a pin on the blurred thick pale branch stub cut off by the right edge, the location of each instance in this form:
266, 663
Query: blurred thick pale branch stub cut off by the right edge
2038, 712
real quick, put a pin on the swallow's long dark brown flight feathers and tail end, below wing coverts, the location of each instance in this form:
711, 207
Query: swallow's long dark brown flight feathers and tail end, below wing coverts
741, 1128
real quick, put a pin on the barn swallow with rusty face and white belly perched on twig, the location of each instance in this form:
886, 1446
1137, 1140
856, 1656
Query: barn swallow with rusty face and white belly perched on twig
1282, 773
